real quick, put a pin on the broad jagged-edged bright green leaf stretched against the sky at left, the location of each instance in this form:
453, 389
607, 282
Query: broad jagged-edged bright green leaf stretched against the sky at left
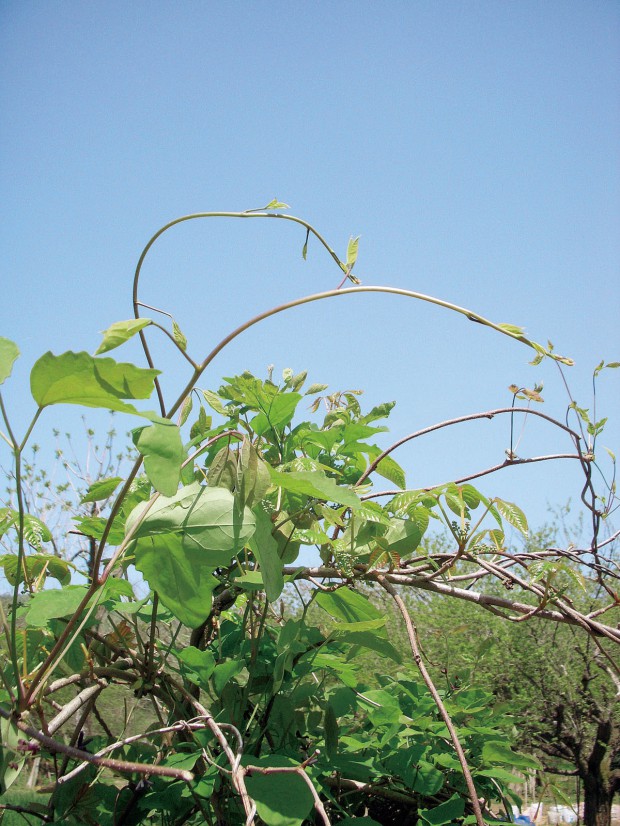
78, 378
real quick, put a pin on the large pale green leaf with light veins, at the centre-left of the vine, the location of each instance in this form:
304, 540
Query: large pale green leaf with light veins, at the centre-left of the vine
207, 519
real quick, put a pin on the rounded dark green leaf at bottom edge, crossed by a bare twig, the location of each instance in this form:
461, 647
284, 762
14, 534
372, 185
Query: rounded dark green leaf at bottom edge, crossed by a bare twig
281, 799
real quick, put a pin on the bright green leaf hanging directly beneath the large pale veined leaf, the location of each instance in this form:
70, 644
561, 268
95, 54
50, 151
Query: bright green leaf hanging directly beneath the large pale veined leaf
183, 577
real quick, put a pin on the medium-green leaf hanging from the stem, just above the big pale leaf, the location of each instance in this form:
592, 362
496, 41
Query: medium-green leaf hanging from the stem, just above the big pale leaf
162, 448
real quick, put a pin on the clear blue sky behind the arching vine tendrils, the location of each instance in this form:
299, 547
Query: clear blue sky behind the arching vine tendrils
472, 144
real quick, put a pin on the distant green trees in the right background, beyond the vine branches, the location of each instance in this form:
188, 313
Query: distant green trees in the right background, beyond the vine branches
564, 682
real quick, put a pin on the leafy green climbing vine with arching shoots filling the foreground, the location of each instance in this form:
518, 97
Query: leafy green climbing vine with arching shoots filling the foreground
260, 698
